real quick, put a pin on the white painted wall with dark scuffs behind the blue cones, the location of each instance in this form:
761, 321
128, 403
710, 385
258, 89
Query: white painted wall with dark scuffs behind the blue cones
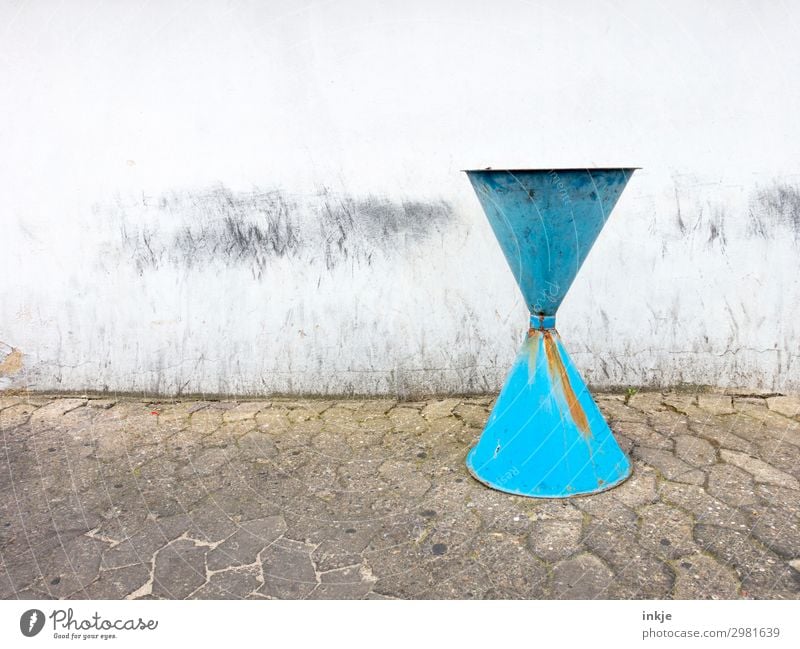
126, 126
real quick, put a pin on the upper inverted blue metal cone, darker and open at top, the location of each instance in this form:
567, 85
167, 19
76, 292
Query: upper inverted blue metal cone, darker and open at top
546, 221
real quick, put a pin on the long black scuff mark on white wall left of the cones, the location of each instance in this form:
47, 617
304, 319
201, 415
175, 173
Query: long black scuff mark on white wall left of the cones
253, 228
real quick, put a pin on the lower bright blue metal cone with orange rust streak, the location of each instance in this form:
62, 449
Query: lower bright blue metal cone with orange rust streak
546, 437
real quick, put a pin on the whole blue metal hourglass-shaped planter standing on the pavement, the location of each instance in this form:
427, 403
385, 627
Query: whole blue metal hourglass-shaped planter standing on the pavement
546, 436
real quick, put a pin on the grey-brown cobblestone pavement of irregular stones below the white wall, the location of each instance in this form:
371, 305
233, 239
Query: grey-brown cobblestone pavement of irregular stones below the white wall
122, 498
